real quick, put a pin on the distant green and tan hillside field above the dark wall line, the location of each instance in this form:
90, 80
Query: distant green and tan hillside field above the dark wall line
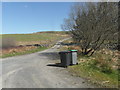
39, 38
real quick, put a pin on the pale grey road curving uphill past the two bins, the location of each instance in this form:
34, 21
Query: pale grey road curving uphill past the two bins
38, 70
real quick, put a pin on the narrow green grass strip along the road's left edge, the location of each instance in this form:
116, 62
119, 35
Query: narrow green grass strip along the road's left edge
24, 52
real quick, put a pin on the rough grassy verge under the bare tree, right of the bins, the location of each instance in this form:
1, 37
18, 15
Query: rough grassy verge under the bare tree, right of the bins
100, 69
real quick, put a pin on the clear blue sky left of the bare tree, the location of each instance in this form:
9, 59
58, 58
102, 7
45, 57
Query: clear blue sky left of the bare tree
29, 17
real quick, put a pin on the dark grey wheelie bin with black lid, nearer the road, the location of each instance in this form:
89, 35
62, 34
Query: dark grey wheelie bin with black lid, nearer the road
65, 57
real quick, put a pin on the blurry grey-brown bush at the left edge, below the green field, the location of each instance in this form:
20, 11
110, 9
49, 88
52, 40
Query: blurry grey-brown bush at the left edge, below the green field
8, 42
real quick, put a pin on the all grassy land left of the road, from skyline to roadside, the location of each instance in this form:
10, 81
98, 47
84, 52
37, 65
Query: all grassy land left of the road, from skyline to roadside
11, 42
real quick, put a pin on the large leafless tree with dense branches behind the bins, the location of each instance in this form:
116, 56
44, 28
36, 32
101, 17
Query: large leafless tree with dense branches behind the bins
93, 24
